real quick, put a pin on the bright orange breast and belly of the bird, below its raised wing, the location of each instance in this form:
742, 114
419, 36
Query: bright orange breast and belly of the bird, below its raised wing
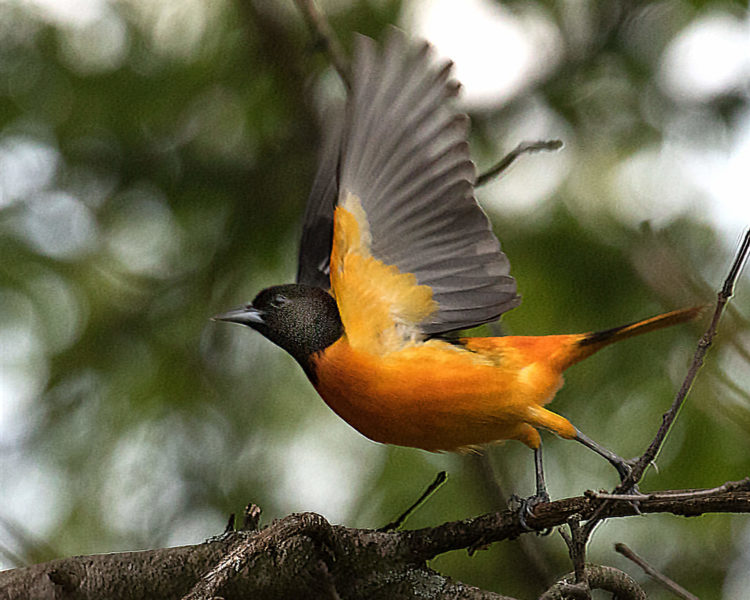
437, 396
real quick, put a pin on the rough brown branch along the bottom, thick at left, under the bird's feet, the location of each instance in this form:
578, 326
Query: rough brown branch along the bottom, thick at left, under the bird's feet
303, 556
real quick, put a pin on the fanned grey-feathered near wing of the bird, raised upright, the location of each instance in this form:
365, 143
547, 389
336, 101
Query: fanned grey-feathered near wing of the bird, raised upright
405, 175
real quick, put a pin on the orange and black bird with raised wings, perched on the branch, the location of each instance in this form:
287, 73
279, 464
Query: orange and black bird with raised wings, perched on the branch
395, 255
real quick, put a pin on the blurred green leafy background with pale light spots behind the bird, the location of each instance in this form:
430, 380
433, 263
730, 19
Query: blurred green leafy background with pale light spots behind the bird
155, 158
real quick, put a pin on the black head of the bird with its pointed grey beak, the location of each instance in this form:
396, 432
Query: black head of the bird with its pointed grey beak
299, 318
